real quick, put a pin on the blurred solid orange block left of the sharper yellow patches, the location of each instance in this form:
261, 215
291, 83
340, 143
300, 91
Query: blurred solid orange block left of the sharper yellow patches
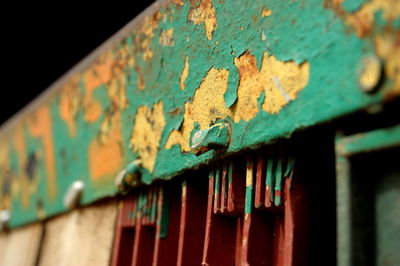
105, 152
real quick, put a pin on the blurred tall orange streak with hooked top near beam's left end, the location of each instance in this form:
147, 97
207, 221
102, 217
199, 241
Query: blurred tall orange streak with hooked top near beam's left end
40, 126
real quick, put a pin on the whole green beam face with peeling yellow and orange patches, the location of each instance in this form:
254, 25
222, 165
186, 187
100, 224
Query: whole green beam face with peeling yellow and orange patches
90, 126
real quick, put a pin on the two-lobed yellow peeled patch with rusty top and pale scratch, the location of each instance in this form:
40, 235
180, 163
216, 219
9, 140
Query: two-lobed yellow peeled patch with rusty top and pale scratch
281, 82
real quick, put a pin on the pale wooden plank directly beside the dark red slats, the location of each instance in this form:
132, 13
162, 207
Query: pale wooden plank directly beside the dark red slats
82, 237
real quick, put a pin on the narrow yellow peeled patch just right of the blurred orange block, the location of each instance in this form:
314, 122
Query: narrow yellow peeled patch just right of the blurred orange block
146, 134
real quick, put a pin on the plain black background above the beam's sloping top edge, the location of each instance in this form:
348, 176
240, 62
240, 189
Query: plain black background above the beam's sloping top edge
42, 42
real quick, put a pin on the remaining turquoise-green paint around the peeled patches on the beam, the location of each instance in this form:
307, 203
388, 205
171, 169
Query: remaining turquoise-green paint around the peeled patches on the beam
298, 30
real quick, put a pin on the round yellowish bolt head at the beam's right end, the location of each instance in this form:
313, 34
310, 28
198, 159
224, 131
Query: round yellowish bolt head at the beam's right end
370, 73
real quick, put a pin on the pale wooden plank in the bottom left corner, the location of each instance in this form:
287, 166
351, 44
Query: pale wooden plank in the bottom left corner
26, 241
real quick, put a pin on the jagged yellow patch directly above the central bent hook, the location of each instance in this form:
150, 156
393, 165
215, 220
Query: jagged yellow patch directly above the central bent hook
207, 106
